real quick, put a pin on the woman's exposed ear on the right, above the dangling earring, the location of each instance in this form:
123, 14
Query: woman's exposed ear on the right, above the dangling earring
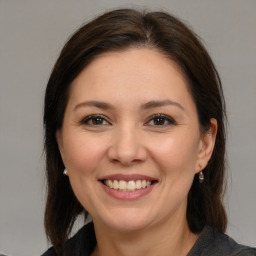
206, 145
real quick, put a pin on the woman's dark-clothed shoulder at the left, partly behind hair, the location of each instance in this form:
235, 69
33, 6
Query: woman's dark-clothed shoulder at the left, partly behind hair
82, 243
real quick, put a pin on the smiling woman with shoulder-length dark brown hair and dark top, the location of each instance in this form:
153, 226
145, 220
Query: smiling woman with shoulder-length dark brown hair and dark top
135, 136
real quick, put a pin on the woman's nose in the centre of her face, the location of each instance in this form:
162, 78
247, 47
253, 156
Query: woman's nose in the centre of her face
127, 147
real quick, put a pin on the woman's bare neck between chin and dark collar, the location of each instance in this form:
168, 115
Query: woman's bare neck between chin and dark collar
165, 239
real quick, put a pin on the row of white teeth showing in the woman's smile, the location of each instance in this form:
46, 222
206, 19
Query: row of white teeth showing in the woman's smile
127, 186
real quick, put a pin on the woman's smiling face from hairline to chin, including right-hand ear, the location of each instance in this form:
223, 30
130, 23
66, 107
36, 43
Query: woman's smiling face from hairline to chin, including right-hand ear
131, 141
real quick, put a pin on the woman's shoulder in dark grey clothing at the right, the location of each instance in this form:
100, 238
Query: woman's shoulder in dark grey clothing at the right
213, 243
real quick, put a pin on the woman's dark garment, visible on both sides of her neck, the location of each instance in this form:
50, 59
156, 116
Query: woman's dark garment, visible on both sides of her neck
209, 243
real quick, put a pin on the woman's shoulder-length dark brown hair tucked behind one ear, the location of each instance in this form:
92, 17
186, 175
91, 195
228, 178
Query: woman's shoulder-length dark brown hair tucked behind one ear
118, 30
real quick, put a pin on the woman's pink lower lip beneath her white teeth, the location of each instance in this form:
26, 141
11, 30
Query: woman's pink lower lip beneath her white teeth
128, 195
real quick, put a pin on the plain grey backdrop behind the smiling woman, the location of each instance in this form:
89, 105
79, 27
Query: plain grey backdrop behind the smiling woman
32, 34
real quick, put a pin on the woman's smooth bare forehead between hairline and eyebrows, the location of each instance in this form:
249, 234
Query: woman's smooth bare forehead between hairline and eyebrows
130, 74
